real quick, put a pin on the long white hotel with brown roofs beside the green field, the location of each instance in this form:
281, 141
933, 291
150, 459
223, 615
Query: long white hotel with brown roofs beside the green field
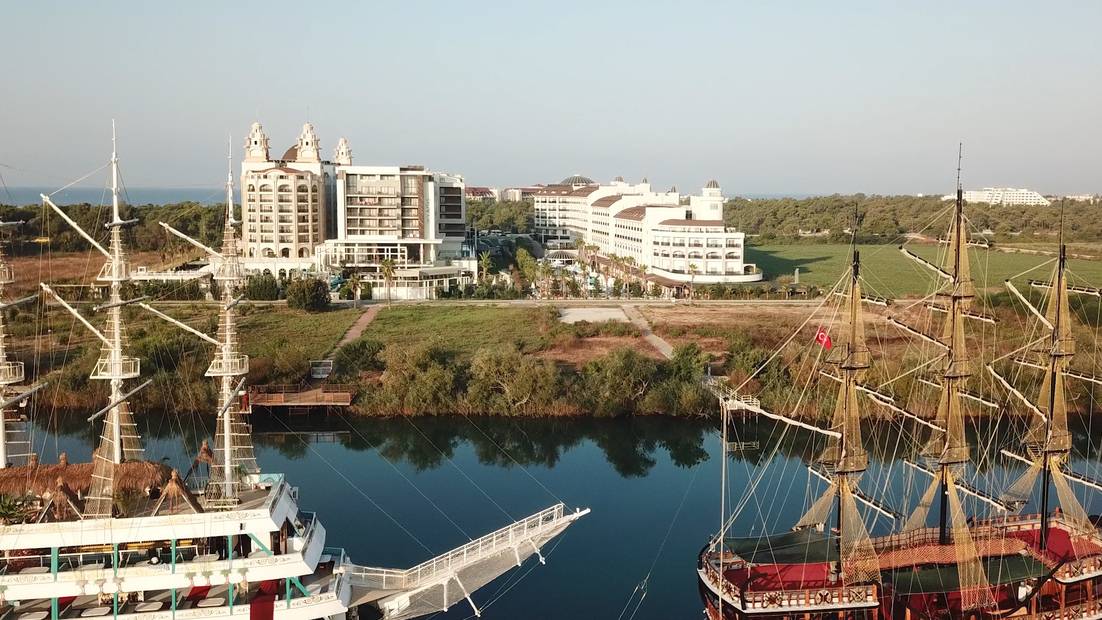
656, 230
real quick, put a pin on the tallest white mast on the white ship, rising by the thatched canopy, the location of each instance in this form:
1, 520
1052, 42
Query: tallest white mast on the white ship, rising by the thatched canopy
120, 441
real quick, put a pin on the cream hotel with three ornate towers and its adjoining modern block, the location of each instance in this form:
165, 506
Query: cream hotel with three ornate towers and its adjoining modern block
302, 214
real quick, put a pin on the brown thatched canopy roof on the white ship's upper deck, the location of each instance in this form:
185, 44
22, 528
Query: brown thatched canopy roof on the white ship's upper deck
35, 480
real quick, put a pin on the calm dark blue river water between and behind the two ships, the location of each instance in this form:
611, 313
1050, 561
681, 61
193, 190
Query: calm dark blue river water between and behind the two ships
394, 493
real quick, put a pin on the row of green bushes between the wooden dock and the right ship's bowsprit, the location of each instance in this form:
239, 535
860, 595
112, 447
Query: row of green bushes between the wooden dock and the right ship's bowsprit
428, 379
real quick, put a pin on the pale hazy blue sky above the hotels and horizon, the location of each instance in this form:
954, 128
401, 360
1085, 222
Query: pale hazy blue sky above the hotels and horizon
766, 97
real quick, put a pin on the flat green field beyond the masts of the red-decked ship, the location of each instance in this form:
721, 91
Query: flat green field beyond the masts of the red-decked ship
893, 275
